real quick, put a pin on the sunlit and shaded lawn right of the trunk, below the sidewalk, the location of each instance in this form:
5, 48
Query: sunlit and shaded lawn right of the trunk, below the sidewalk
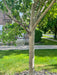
45, 60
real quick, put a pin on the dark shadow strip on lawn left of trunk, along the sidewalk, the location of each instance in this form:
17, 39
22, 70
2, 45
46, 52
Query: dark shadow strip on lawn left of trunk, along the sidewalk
10, 52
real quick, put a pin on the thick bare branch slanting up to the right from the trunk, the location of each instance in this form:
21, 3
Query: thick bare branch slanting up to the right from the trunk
39, 19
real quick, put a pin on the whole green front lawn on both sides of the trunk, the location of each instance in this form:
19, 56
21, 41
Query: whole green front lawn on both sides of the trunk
12, 61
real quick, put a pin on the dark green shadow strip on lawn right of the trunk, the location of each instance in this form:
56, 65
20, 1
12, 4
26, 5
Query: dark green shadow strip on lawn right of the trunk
46, 52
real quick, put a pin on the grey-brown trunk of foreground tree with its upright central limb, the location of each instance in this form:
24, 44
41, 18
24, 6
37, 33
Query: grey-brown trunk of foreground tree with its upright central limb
31, 44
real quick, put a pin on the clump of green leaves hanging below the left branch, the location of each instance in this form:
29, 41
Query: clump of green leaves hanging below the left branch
11, 31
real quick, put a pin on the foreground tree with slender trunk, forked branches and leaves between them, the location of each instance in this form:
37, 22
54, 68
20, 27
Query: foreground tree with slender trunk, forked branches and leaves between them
32, 9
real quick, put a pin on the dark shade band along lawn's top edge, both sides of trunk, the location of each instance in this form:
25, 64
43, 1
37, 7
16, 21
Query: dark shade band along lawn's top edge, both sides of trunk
39, 53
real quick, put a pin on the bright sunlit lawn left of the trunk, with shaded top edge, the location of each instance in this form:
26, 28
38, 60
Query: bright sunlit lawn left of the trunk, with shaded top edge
13, 60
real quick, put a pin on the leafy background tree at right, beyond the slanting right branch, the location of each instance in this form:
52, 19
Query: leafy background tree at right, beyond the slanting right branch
49, 21
